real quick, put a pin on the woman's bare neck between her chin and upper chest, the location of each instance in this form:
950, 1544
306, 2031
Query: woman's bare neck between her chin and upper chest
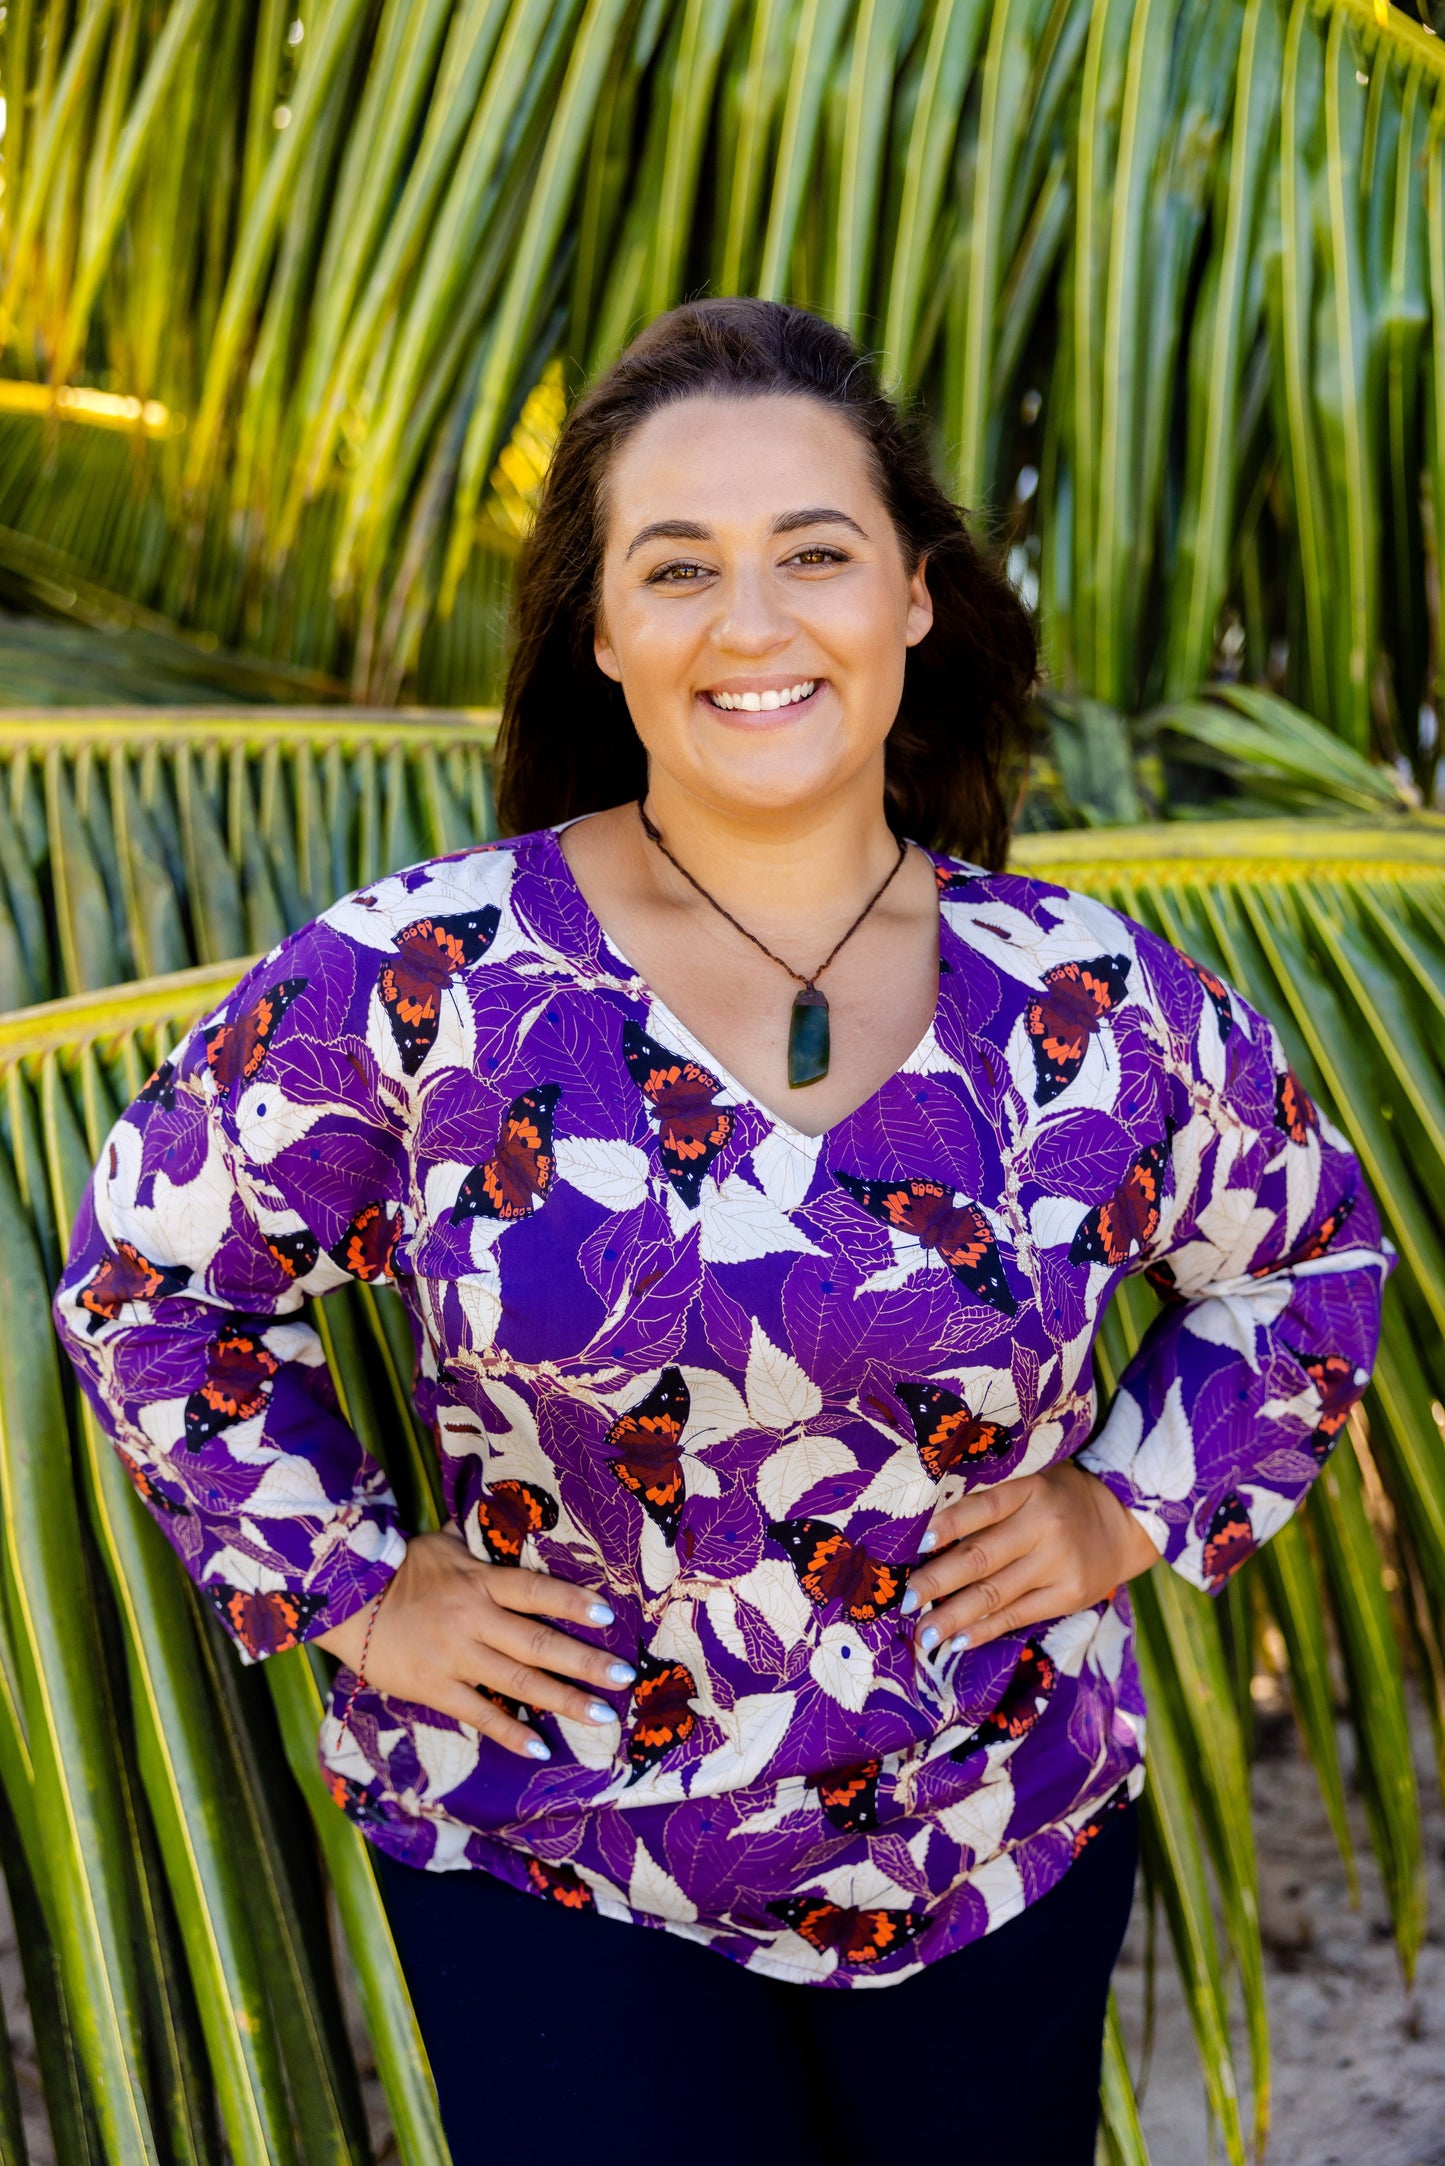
796, 861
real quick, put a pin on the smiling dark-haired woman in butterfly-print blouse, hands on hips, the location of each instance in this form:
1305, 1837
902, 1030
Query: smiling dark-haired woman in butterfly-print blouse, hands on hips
781, 1606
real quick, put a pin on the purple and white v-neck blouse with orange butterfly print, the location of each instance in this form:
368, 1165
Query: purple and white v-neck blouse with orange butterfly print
725, 1372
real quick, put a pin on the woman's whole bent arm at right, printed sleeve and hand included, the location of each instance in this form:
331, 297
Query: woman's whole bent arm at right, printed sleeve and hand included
1271, 1266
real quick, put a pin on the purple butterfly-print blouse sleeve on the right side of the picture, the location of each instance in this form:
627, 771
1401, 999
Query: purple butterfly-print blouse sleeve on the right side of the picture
1271, 1264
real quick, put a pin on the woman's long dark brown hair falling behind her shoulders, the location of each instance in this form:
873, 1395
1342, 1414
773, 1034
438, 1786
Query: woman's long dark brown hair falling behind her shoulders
569, 746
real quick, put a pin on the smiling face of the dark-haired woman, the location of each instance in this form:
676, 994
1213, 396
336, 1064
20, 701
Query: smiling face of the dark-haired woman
751, 558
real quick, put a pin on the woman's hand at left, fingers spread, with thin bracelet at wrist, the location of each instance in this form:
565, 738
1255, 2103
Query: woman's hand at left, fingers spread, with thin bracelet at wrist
452, 1623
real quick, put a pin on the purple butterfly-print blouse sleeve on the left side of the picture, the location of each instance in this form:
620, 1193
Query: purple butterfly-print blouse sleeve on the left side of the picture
255, 1169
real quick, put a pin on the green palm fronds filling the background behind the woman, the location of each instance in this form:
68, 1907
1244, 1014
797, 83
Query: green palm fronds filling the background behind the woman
291, 309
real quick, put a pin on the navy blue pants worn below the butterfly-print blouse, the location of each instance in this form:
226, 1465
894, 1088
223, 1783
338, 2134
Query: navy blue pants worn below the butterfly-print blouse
567, 2039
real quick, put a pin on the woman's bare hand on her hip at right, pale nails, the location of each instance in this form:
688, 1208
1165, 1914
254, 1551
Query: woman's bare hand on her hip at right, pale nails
1021, 1554
